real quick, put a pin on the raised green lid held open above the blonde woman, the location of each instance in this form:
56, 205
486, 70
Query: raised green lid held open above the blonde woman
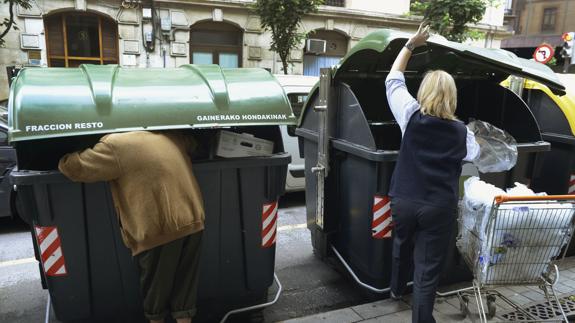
377, 51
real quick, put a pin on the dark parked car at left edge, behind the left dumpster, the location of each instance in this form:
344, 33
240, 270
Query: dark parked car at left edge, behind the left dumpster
7, 163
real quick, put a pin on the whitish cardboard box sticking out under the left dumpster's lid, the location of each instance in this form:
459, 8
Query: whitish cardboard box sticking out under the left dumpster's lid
230, 144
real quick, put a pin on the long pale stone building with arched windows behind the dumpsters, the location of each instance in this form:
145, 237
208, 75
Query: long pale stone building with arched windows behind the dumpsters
169, 33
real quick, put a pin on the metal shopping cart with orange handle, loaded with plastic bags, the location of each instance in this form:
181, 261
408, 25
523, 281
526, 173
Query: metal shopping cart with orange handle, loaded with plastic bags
518, 241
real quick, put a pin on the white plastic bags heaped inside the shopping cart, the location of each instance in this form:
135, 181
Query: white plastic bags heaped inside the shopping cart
523, 240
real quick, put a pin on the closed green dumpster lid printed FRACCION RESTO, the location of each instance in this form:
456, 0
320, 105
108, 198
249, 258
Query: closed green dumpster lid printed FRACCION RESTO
59, 102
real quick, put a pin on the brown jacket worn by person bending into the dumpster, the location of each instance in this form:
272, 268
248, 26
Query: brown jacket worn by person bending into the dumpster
155, 192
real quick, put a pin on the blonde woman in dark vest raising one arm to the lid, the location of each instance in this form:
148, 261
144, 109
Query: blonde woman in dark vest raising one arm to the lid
425, 184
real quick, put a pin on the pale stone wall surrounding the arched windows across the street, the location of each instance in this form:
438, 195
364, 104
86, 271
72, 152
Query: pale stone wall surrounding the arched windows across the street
354, 24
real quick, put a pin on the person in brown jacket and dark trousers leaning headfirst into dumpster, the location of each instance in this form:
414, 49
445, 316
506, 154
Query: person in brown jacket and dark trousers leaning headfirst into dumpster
160, 209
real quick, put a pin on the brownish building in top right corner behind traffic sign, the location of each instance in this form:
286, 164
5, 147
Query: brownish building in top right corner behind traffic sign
535, 22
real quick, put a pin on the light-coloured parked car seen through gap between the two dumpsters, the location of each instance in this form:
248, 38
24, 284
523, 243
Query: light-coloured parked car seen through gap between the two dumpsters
297, 88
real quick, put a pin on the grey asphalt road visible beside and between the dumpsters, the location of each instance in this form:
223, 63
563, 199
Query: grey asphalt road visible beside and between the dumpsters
310, 286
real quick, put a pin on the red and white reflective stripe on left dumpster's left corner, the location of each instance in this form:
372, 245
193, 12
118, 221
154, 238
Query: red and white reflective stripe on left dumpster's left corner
51, 251
